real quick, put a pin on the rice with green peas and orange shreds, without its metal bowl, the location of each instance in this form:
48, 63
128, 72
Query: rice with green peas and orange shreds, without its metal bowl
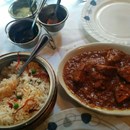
21, 98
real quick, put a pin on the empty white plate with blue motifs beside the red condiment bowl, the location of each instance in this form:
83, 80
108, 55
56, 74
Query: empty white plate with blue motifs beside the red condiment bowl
107, 20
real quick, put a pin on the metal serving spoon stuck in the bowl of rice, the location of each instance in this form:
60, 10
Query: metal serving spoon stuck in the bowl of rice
41, 44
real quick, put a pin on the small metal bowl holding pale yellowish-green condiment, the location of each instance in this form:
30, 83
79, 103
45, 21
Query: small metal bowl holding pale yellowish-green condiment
20, 9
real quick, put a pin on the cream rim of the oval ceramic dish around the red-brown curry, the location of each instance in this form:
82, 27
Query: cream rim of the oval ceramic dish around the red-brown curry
90, 47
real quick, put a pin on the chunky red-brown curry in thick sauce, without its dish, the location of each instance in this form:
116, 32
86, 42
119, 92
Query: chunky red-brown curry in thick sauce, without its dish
100, 78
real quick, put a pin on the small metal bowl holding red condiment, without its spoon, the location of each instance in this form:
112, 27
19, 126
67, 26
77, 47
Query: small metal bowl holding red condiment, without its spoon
46, 11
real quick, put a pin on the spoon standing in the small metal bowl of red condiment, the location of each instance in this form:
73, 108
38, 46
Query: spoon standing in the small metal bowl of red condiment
53, 17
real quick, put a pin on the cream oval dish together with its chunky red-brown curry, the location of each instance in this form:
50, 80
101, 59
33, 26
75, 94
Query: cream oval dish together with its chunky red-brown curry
97, 76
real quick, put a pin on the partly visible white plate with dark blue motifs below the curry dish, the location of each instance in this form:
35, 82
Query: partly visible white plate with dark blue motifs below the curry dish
81, 119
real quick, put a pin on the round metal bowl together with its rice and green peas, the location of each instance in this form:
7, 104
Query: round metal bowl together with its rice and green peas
26, 100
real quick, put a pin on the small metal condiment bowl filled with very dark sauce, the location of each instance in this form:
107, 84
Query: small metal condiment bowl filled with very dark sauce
19, 32
